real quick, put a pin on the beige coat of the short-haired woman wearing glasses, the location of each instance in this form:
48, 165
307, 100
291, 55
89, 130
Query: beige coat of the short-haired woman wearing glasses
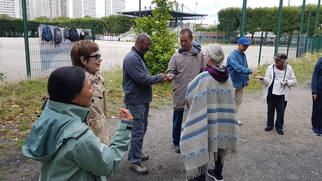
97, 118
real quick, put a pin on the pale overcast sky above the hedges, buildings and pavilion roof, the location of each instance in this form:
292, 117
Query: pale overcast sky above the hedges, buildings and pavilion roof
211, 7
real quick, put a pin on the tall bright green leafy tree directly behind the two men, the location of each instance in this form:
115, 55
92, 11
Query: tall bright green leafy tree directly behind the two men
164, 42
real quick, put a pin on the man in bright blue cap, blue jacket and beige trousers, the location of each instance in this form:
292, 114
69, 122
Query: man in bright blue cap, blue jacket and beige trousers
239, 71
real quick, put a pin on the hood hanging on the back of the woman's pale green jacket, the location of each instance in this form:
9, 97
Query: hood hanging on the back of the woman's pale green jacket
49, 132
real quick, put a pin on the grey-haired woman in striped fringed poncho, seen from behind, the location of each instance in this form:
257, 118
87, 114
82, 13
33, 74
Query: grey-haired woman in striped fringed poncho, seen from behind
210, 129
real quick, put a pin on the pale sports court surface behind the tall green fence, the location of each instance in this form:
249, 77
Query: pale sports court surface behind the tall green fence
13, 61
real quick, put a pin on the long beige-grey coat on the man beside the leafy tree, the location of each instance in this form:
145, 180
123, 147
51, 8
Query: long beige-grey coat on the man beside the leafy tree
183, 67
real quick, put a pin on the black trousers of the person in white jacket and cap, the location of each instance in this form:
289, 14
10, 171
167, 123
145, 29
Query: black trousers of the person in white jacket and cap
277, 103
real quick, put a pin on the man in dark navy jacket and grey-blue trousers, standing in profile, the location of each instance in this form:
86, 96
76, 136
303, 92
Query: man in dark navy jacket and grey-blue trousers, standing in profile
137, 86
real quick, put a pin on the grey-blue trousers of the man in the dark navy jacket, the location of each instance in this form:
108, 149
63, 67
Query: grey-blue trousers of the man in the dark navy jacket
139, 126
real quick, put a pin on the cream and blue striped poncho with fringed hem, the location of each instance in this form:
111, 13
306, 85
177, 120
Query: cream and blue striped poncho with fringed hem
210, 122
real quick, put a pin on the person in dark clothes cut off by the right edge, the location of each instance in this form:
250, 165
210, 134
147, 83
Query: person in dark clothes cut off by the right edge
317, 98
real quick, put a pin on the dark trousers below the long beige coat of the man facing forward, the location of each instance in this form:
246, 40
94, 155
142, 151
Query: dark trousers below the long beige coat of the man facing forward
176, 126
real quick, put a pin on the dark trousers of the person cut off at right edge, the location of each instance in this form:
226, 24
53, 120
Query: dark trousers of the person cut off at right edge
317, 111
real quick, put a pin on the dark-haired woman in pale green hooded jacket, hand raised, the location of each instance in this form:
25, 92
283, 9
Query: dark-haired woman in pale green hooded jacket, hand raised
63, 143
